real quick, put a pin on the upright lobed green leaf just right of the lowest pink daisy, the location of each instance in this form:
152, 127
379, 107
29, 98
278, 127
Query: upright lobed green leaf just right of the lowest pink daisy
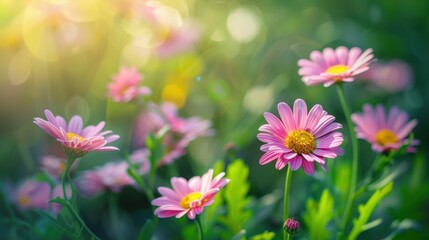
235, 195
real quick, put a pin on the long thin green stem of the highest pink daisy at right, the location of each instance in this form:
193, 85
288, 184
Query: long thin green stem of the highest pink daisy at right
352, 187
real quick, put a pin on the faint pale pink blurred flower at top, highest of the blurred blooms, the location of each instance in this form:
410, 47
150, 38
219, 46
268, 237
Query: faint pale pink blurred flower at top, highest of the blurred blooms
179, 40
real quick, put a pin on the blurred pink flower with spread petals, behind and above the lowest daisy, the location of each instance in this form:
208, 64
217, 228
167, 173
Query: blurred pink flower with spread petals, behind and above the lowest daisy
182, 130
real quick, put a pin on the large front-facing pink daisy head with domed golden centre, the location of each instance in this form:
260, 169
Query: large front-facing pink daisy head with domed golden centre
299, 138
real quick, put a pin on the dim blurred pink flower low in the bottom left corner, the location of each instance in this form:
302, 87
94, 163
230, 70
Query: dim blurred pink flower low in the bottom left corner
32, 194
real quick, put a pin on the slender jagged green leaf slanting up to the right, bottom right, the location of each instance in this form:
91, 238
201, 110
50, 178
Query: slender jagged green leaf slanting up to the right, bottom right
365, 210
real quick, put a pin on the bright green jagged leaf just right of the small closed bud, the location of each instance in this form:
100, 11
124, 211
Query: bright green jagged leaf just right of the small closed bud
318, 215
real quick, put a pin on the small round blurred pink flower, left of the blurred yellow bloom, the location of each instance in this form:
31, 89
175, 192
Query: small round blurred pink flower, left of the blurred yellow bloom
125, 86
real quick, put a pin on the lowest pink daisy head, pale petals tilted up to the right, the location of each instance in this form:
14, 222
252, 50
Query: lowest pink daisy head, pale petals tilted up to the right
188, 197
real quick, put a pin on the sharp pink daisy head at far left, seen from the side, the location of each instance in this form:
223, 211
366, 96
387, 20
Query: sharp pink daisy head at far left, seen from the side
76, 140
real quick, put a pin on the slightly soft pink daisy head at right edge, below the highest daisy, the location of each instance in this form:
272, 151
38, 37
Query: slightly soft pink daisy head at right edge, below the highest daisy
384, 132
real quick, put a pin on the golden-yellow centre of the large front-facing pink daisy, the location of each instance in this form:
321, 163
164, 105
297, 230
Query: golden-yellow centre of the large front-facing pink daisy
300, 141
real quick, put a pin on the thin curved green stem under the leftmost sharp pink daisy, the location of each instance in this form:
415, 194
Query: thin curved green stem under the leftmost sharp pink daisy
66, 178
